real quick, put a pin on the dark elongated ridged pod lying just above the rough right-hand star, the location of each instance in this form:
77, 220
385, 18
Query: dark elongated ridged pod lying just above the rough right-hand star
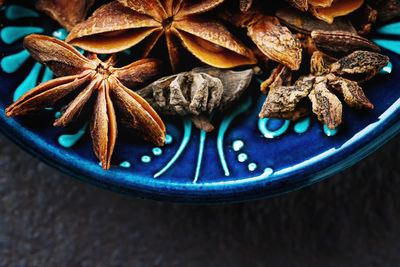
339, 43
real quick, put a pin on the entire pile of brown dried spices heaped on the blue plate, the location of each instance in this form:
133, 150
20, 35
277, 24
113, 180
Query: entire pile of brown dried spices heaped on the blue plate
313, 51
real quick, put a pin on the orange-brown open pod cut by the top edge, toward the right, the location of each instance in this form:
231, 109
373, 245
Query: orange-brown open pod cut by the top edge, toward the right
334, 9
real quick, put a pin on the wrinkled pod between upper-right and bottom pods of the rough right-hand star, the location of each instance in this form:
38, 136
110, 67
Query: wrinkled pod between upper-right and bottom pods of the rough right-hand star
352, 93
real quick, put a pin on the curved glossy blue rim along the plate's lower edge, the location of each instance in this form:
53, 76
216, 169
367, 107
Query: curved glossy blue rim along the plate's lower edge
303, 174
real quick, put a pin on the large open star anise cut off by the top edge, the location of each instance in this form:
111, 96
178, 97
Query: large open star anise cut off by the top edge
122, 24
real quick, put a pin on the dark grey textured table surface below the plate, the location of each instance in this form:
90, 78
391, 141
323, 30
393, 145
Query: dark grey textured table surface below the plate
50, 219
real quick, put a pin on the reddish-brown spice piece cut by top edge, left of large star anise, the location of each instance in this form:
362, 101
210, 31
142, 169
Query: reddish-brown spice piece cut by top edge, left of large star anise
66, 12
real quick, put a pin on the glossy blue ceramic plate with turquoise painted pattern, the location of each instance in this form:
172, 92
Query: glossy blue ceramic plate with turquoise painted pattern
244, 158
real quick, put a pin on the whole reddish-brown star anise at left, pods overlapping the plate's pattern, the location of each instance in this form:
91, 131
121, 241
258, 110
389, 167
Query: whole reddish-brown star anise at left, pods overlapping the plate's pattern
107, 85
